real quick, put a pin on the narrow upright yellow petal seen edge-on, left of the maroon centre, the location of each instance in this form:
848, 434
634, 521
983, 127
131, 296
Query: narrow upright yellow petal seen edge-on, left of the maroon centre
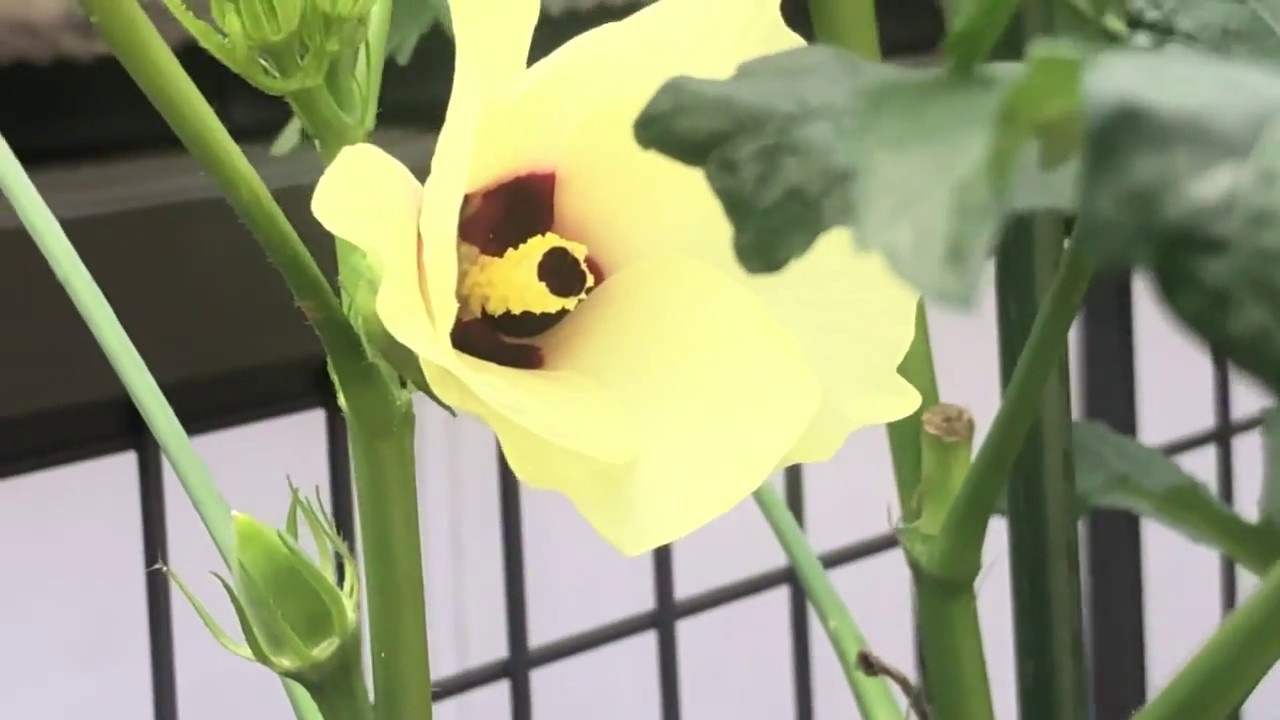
491, 52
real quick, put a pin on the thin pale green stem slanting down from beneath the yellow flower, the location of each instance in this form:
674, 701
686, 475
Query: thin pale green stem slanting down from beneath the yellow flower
874, 695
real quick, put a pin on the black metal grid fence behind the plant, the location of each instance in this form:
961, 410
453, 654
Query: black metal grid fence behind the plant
1113, 562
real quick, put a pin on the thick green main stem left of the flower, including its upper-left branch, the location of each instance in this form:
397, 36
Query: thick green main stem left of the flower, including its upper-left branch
381, 417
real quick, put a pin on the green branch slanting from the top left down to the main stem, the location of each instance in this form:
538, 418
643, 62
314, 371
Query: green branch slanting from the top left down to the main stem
150, 62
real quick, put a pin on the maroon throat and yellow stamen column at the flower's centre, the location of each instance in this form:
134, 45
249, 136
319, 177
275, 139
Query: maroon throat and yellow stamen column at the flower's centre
518, 279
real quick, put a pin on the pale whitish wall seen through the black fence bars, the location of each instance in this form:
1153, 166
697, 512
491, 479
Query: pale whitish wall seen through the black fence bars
74, 609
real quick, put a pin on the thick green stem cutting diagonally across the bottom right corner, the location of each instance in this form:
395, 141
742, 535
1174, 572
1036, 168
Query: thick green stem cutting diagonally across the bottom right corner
1227, 669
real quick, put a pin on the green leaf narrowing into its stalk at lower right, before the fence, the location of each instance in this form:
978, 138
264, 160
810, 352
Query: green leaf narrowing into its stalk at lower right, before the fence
1116, 472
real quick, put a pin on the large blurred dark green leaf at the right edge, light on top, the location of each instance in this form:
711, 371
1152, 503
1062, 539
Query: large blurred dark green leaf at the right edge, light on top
1182, 176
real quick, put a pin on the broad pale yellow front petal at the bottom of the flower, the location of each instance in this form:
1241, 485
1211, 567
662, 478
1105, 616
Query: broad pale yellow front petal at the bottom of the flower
719, 393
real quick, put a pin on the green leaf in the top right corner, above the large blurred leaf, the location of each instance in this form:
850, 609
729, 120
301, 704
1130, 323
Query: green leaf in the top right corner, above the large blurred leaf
1240, 29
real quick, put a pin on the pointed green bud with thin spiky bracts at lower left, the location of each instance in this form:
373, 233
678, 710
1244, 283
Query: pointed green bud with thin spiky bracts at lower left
298, 619
